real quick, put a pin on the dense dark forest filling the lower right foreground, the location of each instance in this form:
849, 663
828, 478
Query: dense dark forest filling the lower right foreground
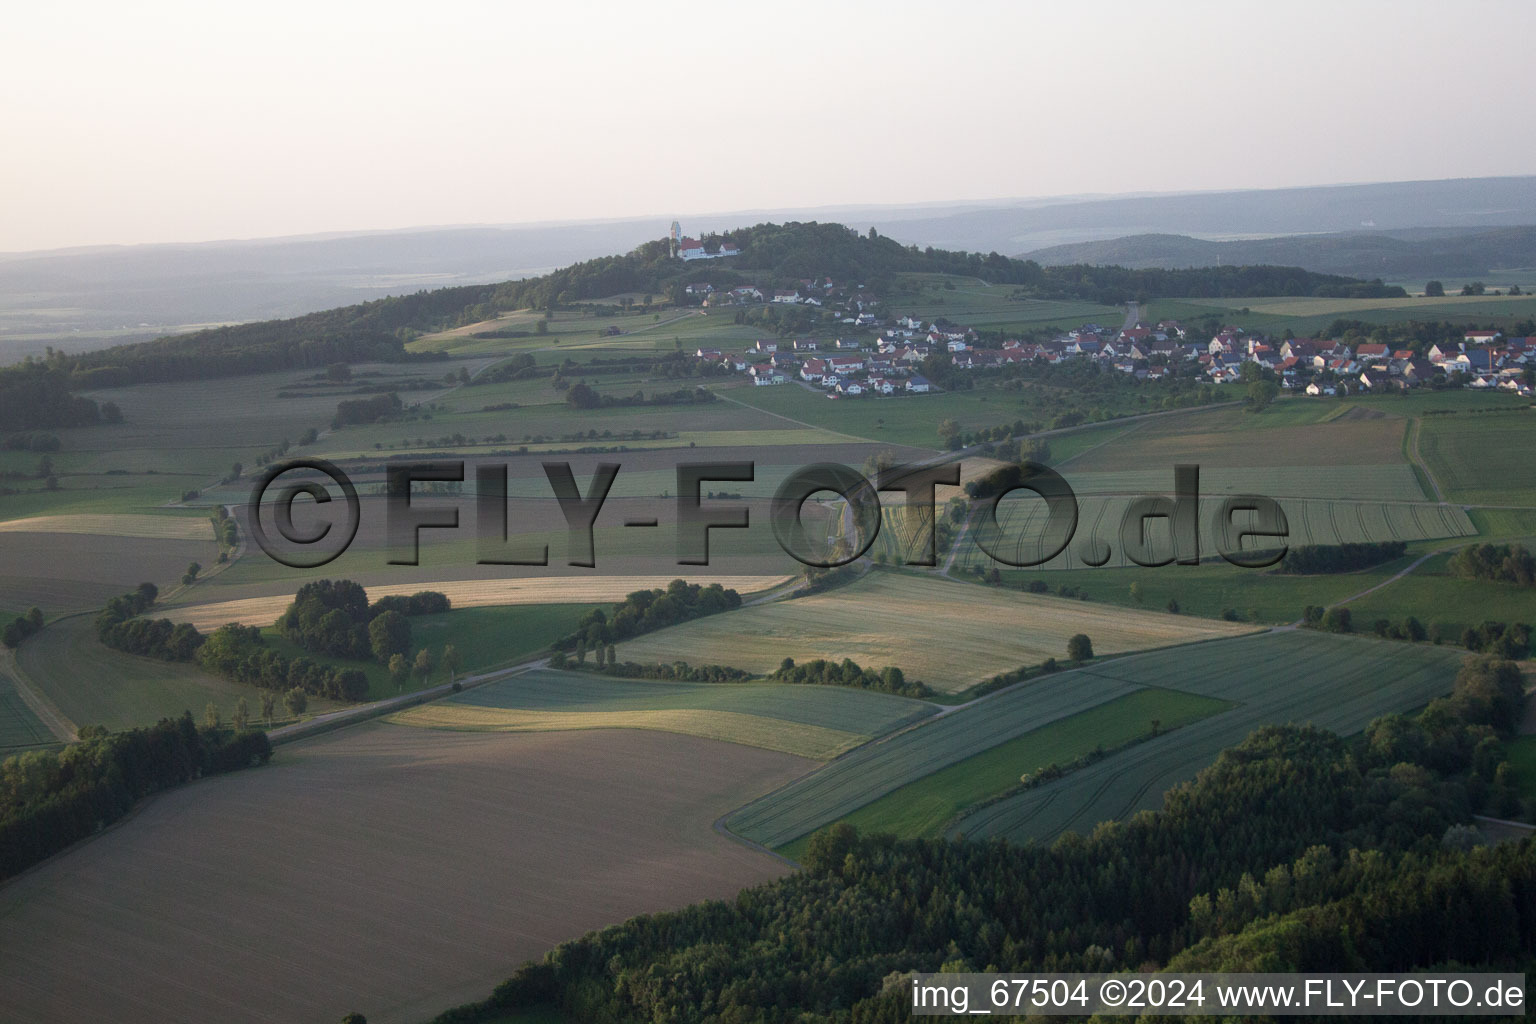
1296, 851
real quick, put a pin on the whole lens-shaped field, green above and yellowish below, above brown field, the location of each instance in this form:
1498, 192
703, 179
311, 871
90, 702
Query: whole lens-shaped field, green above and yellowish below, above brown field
816, 722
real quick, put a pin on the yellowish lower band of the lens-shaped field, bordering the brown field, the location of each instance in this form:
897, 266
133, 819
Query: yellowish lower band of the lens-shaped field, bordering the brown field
732, 727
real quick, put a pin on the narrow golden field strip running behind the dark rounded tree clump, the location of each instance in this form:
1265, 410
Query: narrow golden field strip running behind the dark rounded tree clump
263, 612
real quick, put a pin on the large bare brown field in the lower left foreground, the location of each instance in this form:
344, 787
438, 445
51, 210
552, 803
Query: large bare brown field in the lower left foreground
385, 870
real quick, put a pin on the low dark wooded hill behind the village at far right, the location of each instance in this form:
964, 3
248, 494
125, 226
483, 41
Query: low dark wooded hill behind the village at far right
1392, 256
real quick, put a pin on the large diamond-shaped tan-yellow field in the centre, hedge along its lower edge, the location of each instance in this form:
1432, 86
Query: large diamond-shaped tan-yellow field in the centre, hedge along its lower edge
947, 635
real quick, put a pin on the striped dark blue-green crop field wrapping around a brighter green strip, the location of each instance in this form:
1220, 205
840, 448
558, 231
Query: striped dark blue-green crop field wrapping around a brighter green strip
1276, 678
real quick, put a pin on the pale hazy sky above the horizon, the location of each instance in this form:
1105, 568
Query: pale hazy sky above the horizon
167, 122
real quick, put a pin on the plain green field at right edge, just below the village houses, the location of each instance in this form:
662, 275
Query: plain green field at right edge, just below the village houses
1483, 458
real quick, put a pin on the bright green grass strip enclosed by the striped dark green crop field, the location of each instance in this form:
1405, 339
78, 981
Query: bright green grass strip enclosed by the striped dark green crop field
922, 808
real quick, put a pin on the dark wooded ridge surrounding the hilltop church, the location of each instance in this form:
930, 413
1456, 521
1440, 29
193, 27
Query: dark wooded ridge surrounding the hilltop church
773, 256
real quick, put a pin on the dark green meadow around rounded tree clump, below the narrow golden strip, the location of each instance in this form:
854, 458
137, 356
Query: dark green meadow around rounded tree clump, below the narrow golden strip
485, 638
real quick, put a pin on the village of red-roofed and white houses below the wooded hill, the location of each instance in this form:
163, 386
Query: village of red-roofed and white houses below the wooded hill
889, 360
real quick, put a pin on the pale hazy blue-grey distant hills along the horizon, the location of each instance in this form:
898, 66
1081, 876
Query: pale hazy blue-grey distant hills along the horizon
88, 299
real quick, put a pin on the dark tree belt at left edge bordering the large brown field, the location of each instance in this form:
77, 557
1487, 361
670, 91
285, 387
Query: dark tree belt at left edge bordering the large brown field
51, 799
